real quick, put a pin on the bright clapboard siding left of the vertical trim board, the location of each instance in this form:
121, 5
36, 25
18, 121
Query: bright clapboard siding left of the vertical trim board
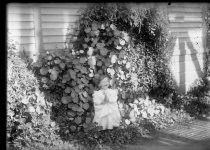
20, 26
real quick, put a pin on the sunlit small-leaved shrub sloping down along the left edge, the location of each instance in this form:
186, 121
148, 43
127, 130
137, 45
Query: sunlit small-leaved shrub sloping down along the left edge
28, 113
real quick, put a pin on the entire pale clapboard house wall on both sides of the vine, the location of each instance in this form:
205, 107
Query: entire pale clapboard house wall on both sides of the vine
43, 27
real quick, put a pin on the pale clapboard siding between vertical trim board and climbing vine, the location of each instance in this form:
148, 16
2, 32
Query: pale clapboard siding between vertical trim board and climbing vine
58, 21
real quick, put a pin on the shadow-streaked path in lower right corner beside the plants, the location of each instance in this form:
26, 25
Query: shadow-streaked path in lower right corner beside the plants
192, 136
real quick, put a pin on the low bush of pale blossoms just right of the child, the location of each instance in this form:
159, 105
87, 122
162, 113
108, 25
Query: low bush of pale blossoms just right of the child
149, 111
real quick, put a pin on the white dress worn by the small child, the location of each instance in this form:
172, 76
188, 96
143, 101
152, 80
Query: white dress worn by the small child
106, 115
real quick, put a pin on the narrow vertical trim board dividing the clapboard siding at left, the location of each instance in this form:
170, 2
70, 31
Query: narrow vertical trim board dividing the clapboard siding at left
37, 29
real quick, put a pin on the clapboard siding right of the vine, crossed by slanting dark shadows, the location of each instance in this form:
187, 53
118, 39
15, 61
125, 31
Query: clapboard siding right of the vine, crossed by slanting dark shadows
186, 23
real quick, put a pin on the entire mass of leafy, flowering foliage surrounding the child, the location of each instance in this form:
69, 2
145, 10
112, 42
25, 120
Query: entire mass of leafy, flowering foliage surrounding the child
132, 46
